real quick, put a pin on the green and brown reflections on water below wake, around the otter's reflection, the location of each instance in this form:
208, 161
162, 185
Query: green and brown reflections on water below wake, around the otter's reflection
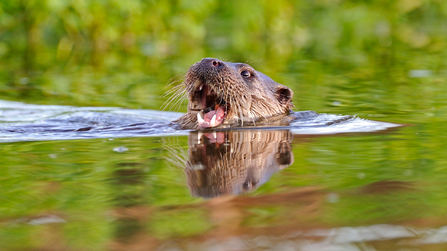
107, 196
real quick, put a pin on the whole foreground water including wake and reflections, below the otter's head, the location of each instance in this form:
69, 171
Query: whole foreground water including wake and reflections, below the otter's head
354, 184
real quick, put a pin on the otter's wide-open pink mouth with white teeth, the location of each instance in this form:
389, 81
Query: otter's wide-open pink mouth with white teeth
213, 108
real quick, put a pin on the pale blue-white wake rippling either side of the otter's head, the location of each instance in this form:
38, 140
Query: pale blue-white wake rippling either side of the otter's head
27, 122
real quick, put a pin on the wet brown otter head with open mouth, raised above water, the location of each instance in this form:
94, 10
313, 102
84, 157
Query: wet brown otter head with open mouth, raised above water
223, 93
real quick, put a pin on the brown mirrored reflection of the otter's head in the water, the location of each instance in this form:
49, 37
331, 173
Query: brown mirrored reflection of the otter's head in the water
233, 162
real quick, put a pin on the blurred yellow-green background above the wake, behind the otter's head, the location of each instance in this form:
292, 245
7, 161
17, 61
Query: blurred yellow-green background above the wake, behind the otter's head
98, 52
